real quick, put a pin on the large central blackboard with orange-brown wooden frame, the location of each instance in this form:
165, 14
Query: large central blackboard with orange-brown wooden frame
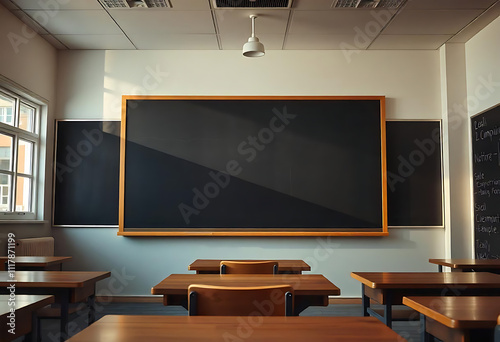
257, 166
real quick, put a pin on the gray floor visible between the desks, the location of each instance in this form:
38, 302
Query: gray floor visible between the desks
50, 327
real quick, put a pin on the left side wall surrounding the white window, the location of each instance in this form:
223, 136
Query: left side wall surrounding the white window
28, 61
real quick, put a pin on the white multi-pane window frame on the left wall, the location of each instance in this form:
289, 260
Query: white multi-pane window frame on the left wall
34, 138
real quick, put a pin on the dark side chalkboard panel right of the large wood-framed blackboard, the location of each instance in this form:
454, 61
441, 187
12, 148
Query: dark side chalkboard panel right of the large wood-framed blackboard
414, 173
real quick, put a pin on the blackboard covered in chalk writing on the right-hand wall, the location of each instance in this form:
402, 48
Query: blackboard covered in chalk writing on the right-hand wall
486, 182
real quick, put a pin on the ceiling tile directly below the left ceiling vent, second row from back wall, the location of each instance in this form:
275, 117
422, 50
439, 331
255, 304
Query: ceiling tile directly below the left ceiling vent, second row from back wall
164, 21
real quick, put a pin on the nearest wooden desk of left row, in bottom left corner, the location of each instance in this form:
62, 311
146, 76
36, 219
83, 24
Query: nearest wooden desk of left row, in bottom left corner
24, 316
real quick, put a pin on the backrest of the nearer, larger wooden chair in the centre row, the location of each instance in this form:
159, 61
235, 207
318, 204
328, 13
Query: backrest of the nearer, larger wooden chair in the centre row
209, 300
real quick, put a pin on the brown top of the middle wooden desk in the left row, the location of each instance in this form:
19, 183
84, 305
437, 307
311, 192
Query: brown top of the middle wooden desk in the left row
66, 279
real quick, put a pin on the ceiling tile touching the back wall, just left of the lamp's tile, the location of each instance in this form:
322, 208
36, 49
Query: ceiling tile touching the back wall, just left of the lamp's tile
161, 41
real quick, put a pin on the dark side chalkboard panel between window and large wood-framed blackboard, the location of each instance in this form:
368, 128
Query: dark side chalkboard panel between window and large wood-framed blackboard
86, 179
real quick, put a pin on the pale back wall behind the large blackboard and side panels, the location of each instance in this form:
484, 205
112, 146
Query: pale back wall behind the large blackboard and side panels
90, 86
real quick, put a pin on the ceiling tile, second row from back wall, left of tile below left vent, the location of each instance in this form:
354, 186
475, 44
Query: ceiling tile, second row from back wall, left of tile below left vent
76, 22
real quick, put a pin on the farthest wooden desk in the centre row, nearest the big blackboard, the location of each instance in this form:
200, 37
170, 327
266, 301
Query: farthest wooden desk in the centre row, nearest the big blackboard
207, 266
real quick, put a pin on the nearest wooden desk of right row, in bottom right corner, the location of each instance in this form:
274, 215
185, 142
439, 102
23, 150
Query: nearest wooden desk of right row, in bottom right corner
456, 318
